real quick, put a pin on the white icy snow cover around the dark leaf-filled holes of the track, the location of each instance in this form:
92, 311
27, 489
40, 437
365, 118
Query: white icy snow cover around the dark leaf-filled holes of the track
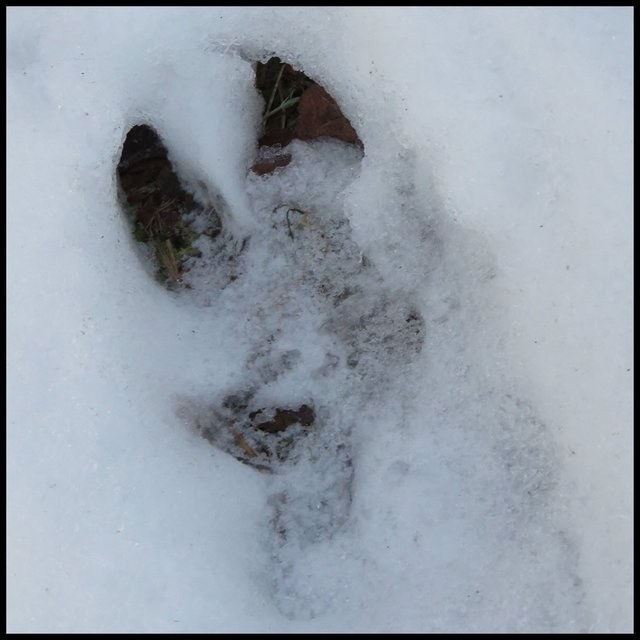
475, 479
